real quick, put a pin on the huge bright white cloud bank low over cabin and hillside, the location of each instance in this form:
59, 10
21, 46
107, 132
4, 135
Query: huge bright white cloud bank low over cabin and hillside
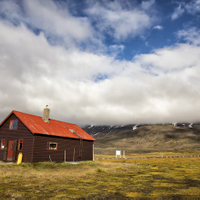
159, 87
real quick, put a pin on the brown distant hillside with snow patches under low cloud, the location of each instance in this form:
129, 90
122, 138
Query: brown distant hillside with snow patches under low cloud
147, 137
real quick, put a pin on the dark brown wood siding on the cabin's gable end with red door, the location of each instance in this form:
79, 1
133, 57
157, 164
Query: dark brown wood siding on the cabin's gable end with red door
21, 133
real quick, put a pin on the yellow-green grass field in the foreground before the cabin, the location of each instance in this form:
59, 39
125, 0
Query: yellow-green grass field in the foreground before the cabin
169, 178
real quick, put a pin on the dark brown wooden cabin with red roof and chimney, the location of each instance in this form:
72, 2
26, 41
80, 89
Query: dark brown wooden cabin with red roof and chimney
43, 139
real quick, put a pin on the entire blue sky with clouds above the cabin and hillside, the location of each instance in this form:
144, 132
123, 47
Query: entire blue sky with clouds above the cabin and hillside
103, 62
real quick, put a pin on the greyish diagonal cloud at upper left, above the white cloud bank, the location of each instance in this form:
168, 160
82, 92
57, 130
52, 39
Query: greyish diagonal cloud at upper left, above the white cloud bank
57, 23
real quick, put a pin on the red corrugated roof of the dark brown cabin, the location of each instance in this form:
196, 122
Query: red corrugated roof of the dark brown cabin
55, 128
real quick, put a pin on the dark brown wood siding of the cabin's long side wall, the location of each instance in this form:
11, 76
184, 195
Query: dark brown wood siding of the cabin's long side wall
41, 153
